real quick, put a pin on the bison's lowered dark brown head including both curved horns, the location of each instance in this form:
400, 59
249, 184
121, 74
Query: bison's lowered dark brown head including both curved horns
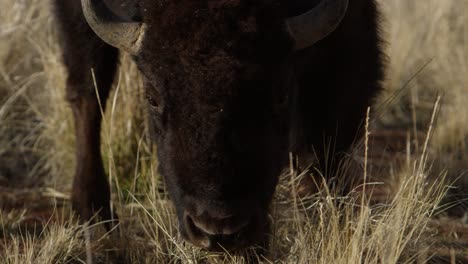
218, 77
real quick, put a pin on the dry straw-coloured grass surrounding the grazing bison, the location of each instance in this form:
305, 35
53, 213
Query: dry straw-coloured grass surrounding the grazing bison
427, 45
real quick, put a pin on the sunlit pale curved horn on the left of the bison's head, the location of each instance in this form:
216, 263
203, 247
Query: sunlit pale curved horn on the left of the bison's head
115, 31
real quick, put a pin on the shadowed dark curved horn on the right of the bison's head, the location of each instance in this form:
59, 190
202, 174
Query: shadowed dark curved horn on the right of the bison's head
317, 23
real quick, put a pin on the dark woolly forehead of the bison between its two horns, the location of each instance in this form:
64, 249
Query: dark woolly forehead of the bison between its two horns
231, 41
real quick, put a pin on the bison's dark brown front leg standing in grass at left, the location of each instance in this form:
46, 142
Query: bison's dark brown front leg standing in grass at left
82, 52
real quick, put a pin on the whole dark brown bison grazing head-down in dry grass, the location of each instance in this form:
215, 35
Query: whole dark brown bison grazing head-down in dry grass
232, 87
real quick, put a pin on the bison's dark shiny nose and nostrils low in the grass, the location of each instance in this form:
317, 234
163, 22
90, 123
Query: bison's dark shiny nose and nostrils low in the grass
210, 232
